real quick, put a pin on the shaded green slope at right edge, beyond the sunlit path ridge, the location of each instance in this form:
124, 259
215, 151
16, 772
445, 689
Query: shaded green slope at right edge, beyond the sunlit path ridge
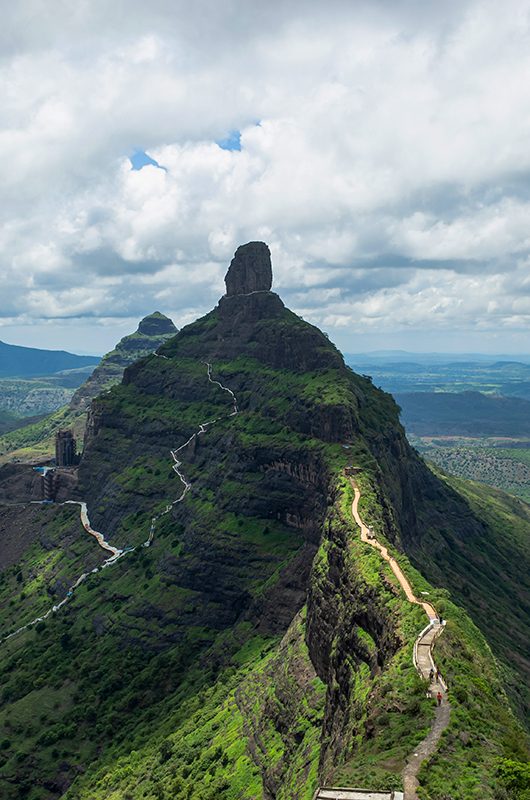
483, 559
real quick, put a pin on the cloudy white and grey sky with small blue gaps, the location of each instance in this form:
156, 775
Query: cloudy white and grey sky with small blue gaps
381, 149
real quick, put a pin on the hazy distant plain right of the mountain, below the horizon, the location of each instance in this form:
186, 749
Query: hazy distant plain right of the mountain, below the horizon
470, 415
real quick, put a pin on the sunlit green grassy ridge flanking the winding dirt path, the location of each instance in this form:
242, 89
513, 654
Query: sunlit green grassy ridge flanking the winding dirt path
392, 713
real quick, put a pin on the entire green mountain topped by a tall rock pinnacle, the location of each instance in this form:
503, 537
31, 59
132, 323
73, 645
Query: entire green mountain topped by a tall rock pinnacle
250, 637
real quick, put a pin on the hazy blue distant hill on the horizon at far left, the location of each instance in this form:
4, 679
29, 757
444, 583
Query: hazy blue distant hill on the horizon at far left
26, 362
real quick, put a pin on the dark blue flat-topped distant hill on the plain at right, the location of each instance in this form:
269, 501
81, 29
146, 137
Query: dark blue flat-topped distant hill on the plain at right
464, 414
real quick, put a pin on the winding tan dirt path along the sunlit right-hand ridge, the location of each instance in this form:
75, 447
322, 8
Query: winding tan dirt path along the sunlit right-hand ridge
423, 660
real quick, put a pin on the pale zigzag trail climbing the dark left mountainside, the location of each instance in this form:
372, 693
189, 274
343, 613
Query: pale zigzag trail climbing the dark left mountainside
117, 553
